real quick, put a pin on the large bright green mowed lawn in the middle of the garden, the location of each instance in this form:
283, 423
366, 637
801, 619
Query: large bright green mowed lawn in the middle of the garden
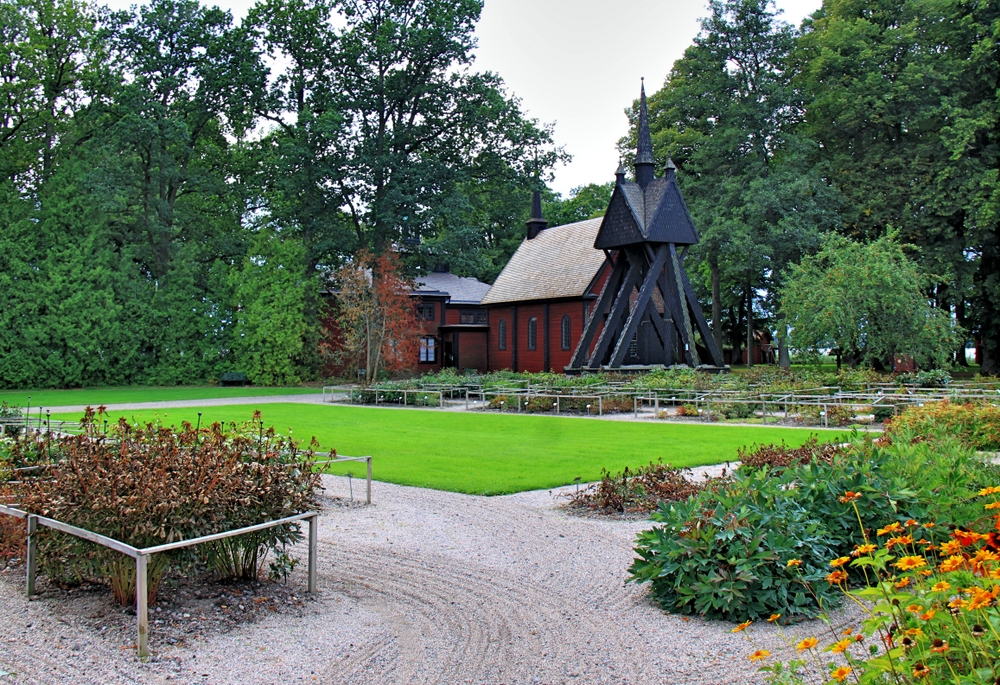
492, 453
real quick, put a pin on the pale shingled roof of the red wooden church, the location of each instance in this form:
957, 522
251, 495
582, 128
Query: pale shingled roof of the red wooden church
558, 262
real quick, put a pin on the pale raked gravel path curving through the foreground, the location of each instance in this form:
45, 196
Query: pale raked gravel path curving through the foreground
422, 587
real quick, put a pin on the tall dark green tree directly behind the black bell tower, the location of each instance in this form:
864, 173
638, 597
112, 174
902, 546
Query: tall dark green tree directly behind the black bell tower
726, 115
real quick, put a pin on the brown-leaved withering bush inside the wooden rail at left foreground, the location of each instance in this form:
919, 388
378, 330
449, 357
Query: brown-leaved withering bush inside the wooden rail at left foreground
148, 484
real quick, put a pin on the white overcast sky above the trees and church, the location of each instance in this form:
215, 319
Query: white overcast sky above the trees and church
577, 64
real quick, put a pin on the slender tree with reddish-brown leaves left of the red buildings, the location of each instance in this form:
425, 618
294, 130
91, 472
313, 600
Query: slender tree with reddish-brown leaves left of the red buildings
375, 313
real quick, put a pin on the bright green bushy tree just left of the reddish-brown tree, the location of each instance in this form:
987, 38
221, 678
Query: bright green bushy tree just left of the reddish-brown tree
269, 292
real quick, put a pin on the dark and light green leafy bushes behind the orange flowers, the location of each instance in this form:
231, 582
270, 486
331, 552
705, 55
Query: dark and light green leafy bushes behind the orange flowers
725, 553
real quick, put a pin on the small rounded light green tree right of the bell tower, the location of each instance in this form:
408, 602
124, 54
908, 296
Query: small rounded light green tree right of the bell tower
867, 300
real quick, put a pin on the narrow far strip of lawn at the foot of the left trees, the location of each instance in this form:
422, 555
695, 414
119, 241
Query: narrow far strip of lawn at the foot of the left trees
97, 396
